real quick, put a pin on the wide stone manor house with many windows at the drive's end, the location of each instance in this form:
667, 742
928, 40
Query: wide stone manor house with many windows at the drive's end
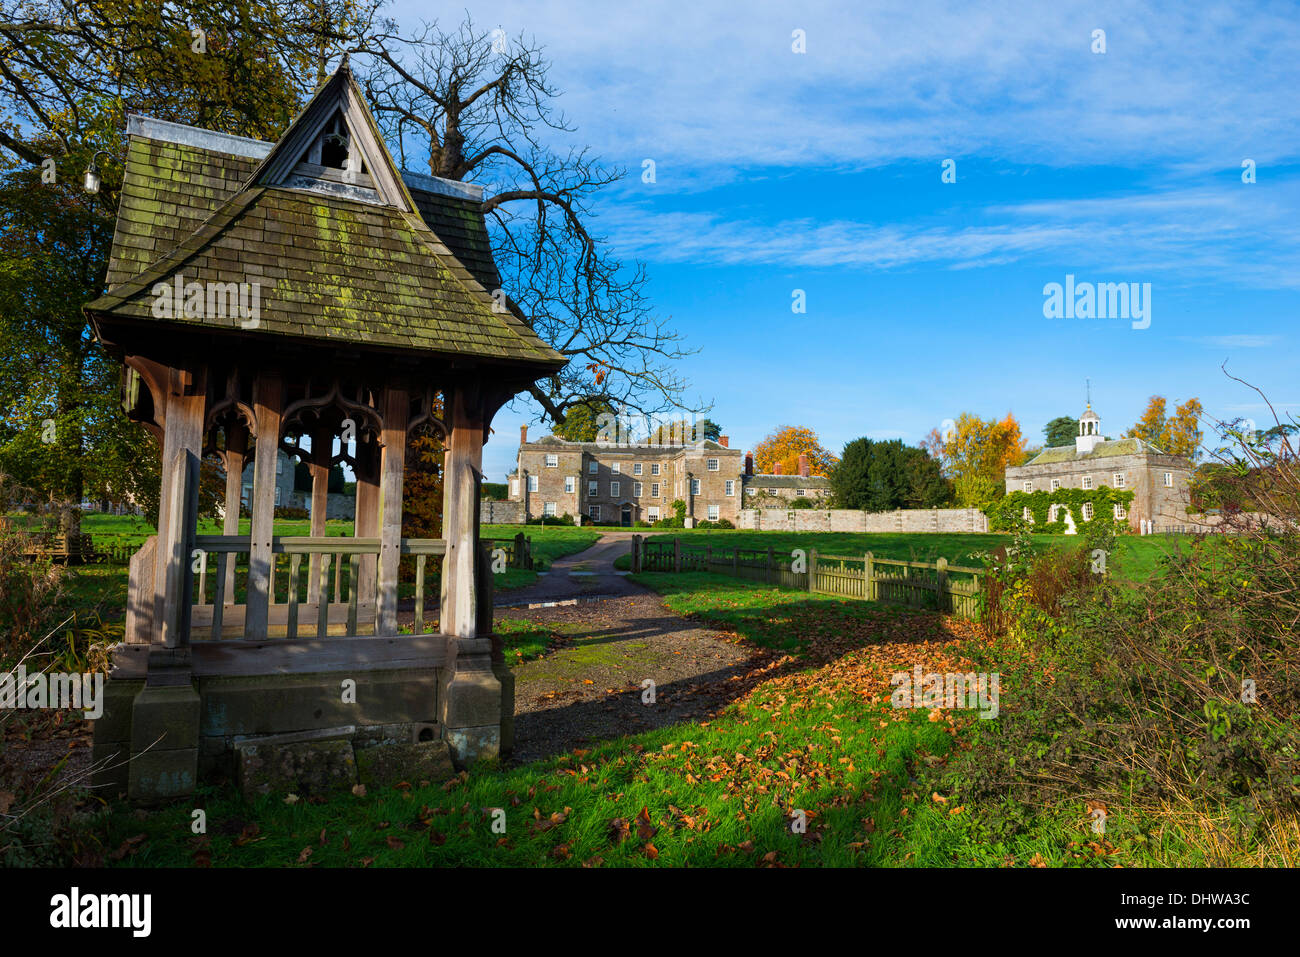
621, 484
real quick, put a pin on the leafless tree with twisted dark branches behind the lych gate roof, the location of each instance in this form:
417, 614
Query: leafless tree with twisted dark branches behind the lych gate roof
480, 105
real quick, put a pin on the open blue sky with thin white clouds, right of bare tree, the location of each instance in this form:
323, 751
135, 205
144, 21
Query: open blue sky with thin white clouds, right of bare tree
778, 171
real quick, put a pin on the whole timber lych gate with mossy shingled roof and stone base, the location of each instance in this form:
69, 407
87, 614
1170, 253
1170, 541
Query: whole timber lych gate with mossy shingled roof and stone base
293, 297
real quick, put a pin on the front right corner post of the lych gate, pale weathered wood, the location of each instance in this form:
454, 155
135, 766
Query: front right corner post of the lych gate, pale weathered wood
461, 477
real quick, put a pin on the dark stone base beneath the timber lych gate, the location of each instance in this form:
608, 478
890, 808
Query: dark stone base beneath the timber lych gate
306, 734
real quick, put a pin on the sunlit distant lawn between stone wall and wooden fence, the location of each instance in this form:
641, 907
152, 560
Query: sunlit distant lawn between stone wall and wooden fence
1136, 557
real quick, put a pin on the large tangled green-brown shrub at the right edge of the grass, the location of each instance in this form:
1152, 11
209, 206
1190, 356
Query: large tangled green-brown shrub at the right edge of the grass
1141, 692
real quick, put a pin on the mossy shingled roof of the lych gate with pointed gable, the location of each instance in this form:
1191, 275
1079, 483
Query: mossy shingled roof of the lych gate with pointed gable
366, 257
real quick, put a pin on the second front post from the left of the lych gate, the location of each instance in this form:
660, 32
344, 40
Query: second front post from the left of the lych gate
267, 402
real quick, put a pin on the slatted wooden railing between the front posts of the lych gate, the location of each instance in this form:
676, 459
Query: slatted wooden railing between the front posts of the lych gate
339, 596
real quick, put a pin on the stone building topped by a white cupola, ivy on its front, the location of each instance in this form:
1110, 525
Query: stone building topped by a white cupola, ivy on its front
1159, 480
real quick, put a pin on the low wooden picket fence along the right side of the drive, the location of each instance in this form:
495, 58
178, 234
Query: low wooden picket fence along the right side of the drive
928, 586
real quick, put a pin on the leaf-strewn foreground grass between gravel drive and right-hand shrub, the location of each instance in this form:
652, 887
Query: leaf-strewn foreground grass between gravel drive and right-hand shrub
818, 742
